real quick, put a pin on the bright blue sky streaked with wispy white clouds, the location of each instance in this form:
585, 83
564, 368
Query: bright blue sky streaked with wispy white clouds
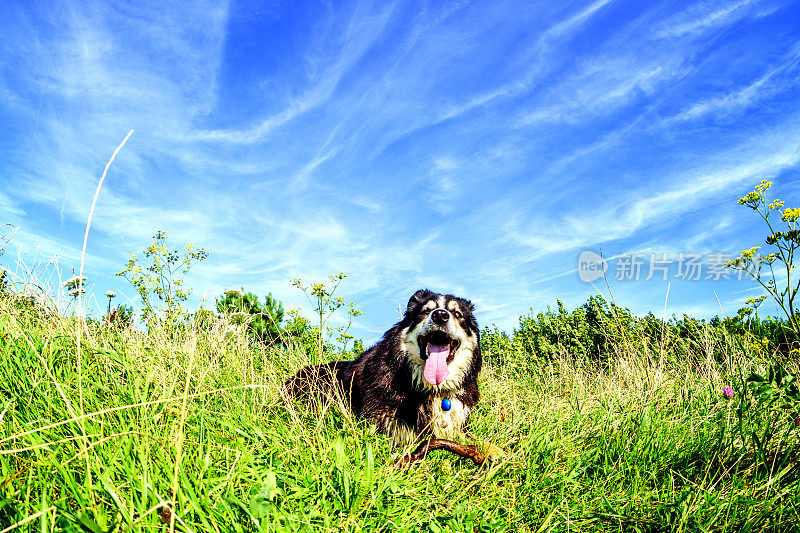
473, 148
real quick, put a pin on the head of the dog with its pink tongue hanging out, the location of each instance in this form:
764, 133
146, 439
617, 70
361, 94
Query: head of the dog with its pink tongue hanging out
441, 340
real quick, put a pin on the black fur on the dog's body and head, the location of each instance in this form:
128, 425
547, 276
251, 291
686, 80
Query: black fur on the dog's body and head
379, 384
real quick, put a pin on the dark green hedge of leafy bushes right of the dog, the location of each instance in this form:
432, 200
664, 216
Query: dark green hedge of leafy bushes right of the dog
599, 331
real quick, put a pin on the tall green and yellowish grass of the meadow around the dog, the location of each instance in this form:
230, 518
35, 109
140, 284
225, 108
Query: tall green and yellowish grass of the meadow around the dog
194, 420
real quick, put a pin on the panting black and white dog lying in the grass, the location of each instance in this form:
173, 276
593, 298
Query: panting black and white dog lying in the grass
420, 378
